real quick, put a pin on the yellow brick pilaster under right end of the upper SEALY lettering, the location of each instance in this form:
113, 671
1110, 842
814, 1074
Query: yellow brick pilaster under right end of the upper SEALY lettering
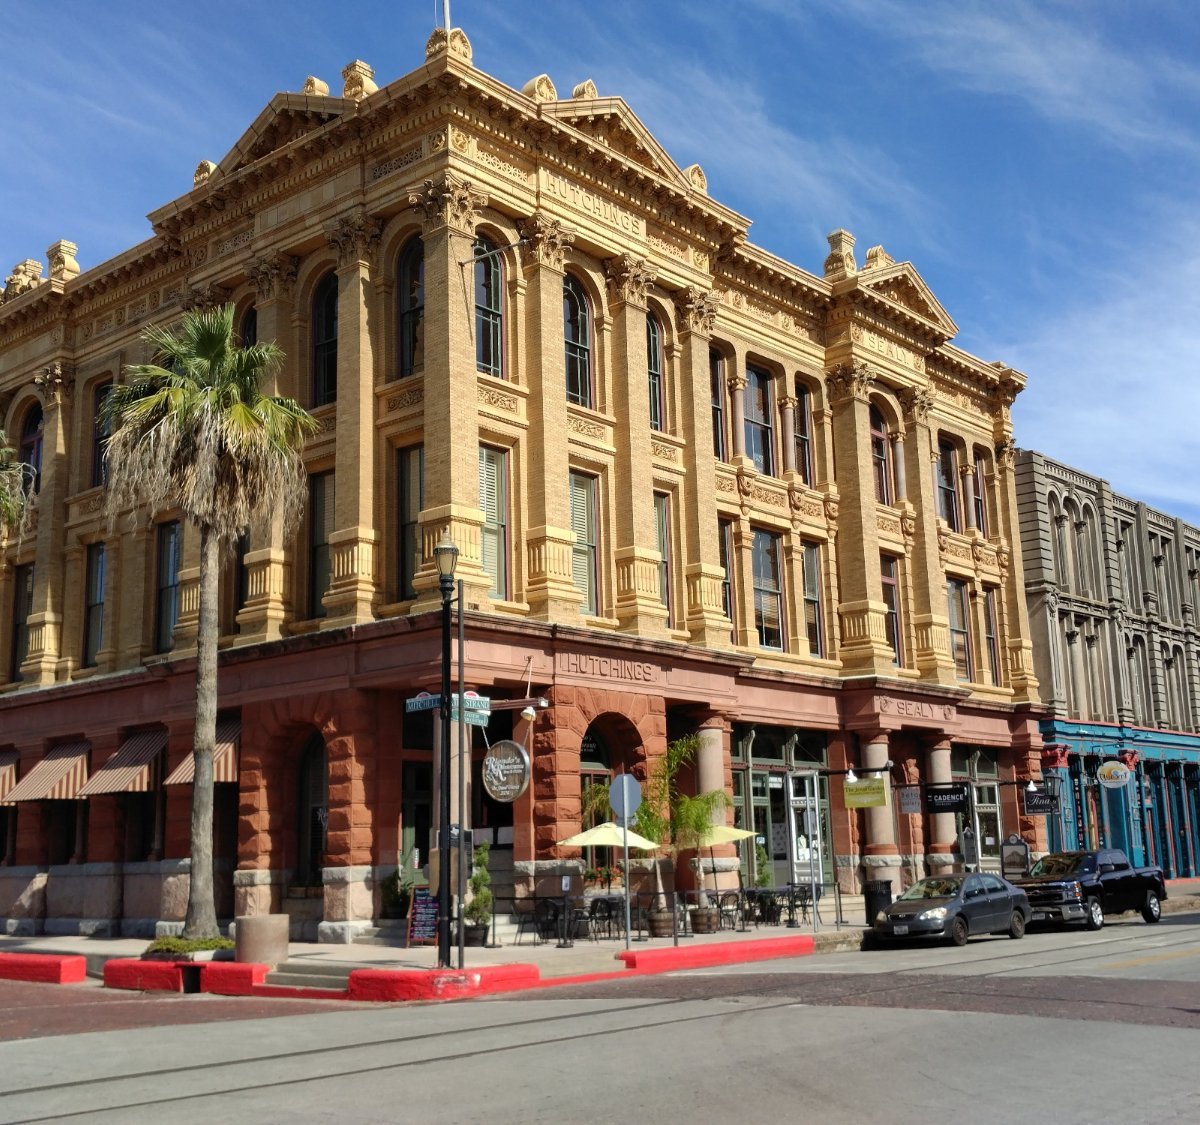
931, 619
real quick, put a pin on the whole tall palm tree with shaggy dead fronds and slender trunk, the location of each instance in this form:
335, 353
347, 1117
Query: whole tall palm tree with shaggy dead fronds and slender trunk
195, 432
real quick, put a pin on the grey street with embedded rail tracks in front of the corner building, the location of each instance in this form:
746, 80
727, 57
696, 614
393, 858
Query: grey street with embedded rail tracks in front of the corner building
999, 1032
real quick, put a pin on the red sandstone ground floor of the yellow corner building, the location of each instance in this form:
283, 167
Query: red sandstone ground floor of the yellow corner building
326, 786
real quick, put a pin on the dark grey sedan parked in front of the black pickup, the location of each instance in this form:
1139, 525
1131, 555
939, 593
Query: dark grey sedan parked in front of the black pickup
956, 907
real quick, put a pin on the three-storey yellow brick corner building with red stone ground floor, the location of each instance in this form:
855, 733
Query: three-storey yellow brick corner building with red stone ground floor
694, 488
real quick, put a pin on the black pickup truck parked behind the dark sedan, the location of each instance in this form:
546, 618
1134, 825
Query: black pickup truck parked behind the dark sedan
1083, 887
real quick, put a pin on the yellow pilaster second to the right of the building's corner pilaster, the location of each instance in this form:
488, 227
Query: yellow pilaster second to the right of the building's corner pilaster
639, 607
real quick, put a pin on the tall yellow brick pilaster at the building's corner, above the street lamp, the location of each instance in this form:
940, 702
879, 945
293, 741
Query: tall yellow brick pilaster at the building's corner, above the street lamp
451, 209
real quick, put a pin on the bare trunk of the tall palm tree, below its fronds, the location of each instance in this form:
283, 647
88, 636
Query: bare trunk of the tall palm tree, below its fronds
202, 916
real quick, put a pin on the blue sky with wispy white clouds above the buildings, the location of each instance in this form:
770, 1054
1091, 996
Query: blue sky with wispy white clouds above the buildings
1039, 163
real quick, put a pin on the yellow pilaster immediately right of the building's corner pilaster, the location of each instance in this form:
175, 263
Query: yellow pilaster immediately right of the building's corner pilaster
550, 591
